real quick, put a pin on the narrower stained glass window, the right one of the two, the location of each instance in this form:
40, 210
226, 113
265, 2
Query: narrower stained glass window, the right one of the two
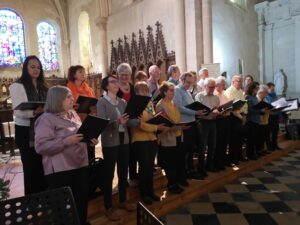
47, 43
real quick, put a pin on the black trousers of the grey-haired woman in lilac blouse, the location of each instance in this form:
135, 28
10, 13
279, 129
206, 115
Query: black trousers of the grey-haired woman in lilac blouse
77, 180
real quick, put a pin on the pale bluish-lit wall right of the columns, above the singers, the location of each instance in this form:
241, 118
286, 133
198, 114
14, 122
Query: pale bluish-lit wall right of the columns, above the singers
235, 37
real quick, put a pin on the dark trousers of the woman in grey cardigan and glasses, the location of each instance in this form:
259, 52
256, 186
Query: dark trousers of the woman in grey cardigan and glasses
112, 155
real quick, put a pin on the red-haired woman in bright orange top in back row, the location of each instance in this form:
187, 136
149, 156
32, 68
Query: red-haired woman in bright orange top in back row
78, 86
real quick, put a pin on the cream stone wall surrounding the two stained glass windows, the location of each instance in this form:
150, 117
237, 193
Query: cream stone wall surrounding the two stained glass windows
33, 12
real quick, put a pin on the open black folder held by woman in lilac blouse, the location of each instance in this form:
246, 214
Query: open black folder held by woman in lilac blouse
92, 127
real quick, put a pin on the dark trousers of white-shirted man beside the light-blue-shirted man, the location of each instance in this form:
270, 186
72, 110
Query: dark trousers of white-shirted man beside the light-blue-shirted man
207, 138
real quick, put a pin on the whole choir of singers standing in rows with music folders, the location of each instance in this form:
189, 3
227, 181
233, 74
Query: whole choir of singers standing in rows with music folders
54, 155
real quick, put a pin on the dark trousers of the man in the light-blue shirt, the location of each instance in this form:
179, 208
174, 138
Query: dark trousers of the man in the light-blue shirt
189, 146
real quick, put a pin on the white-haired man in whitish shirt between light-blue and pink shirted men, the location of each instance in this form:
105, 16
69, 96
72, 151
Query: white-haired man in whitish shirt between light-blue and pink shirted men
207, 127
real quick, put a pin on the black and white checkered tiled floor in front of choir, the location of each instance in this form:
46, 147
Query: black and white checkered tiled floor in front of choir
268, 196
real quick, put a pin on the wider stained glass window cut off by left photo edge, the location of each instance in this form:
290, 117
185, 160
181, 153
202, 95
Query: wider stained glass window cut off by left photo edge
12, 45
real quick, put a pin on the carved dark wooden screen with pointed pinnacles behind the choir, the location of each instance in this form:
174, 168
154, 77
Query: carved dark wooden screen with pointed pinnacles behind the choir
142, 53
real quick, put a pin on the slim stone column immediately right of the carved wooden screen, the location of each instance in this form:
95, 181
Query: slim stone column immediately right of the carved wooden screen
180, 43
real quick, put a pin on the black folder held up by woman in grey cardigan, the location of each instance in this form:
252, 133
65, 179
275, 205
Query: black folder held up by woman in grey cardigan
136, 106
